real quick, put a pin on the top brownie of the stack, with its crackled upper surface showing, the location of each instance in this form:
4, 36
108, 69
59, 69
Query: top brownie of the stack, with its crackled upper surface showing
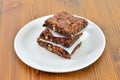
65, 24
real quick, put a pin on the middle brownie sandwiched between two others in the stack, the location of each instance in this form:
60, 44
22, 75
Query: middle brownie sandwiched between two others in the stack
64, 41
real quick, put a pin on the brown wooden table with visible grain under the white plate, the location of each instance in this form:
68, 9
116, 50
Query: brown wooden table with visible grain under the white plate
16, 13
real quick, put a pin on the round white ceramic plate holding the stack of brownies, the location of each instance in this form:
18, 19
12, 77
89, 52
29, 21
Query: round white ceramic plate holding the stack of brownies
39, 58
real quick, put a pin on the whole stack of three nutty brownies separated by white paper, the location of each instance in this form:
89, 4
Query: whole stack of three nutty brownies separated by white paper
62, 34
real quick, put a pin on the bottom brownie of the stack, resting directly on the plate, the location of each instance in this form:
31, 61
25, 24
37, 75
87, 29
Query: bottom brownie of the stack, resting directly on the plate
57, 50
